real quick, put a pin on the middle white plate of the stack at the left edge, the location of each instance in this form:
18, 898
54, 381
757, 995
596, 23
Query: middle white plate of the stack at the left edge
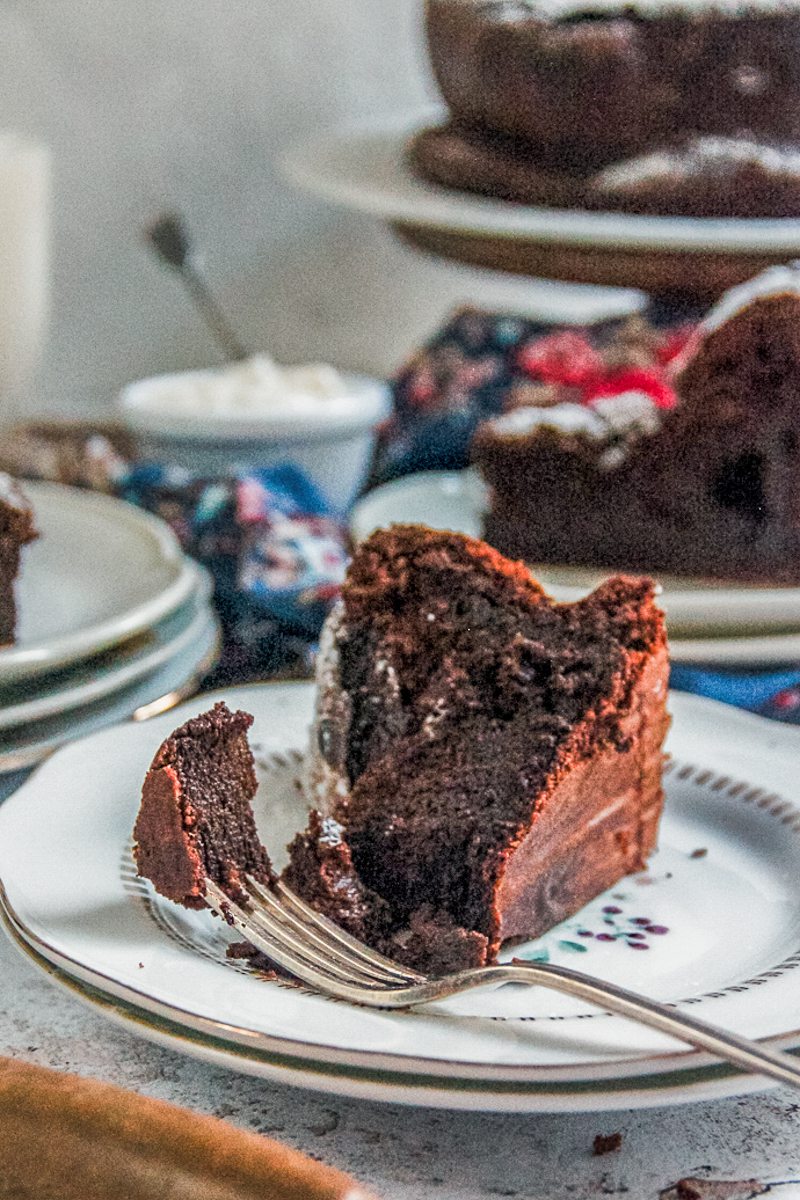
95, 679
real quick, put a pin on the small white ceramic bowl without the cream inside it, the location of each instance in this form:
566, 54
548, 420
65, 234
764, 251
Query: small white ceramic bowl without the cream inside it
332, 445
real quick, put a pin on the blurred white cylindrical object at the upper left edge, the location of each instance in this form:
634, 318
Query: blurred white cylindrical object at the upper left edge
25, 265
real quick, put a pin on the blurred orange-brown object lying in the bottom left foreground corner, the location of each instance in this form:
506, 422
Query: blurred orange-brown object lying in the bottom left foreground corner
65, 1138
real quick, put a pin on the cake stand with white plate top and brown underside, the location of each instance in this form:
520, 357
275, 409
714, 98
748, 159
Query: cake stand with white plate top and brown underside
364, 169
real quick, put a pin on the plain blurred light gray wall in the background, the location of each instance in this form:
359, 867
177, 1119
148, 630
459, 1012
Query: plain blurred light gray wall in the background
188, 104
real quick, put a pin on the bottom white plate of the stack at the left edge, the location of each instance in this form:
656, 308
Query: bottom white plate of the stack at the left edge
160, 691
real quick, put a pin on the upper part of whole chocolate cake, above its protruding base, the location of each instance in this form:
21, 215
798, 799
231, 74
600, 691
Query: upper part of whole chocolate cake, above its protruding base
590, 89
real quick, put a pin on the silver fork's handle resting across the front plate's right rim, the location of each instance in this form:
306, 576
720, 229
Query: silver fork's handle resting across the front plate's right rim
742, 1052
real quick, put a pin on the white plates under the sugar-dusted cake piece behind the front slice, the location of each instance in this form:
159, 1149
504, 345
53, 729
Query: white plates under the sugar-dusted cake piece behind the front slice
697, 610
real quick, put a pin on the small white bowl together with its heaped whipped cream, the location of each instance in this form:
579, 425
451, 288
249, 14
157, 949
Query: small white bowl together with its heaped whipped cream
257, 413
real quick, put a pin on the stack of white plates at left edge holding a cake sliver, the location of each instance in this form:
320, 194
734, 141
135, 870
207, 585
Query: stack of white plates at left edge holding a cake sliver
115, 622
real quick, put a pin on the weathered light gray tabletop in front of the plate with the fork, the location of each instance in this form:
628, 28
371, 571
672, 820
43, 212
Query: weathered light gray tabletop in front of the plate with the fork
410, 1154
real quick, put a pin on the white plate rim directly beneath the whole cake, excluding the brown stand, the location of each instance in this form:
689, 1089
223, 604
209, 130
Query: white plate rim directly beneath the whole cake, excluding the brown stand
364, 167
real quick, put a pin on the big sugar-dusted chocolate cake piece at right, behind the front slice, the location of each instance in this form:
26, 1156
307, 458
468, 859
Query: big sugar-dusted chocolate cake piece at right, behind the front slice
707, 488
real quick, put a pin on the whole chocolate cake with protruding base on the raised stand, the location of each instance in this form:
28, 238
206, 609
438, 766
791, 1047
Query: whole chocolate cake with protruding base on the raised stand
546, 97
